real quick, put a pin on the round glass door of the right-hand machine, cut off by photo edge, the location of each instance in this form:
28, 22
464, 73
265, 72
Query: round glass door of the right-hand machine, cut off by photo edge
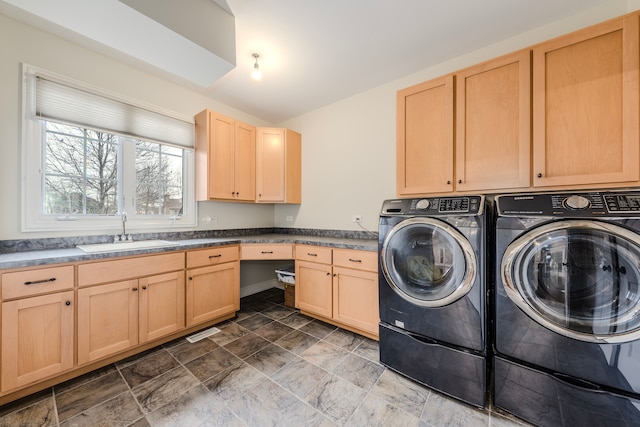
578, 278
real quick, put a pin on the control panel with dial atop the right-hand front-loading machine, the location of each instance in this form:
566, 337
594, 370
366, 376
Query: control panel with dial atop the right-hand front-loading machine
574, 205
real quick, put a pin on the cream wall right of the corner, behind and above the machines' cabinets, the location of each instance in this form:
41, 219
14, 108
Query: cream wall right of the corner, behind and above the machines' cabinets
348, 155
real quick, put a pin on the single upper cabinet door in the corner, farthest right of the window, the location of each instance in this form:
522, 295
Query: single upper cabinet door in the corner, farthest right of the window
270, 166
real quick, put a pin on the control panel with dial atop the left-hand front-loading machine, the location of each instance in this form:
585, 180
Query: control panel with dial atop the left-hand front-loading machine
434, 206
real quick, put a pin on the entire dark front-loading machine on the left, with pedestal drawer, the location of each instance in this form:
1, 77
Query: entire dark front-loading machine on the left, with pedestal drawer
432, 291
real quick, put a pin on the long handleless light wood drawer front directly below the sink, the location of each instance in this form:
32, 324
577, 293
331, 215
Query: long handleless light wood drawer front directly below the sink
129, 268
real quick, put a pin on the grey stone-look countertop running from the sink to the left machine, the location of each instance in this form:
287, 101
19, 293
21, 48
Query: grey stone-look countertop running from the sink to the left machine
29, 258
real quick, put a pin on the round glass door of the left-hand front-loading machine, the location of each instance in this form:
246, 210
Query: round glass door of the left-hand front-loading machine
428, 262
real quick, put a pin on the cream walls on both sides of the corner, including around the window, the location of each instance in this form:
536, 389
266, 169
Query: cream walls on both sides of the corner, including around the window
348, 147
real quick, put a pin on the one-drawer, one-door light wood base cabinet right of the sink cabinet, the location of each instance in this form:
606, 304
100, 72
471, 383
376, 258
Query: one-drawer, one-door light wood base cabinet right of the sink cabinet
213, 289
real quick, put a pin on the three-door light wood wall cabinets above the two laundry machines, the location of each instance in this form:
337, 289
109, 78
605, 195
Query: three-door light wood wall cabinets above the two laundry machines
561, 114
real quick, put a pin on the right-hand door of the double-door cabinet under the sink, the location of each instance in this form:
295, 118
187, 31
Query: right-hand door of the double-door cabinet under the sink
161, 305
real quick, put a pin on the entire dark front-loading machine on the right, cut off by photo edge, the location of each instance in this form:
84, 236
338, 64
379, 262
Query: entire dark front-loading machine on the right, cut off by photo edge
567, 308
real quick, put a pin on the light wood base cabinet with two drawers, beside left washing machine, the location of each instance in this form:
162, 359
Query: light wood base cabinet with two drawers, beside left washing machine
342, 288
